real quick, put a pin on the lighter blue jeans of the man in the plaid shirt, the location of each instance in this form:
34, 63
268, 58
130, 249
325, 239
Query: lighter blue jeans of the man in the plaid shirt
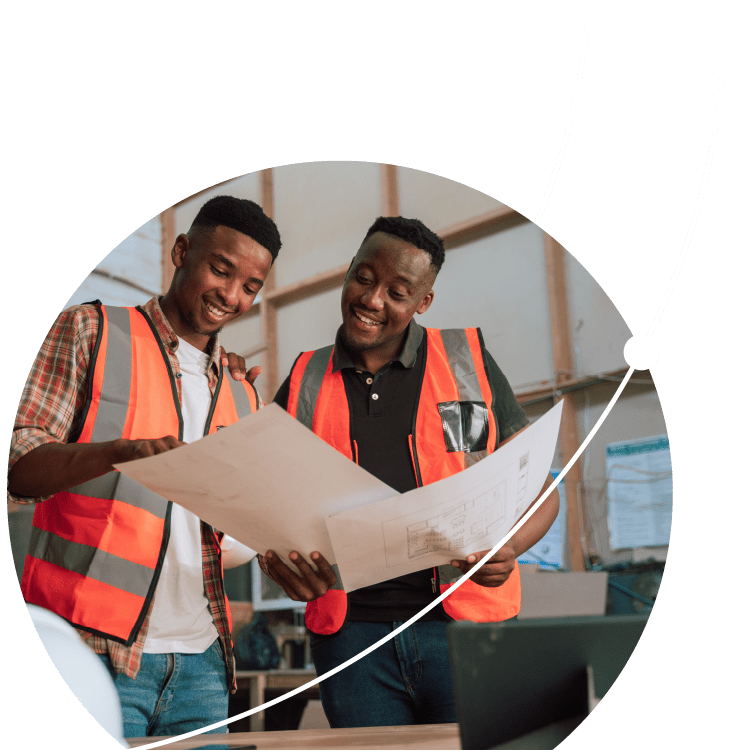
173, 693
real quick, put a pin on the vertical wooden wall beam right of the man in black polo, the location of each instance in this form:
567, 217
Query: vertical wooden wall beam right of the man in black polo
562, 363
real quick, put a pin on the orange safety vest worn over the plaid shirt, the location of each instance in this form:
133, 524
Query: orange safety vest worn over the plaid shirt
96, 550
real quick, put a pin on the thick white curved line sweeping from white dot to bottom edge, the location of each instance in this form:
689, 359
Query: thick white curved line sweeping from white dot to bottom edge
425, 610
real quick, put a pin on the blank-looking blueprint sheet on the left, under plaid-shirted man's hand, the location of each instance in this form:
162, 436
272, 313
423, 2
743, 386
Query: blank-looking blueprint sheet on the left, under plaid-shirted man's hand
267, 481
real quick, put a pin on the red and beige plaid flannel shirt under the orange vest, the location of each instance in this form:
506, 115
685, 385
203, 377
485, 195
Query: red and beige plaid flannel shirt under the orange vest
51, 410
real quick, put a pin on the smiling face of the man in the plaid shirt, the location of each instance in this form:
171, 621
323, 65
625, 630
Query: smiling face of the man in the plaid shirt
218, 273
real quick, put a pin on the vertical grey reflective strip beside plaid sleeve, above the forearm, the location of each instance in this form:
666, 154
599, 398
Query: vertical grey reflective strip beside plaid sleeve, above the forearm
113, 408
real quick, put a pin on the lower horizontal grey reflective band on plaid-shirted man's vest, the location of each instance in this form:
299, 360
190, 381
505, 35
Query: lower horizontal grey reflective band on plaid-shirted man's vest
91, 562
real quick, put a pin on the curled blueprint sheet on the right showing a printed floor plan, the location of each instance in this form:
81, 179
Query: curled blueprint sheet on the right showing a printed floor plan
459, 515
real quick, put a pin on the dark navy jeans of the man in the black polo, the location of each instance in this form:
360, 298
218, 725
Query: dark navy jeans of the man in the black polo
406, 681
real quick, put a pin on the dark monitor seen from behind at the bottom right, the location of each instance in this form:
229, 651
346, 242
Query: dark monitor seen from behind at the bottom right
515, 678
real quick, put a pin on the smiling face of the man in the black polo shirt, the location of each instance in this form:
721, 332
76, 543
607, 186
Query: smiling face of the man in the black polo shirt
388, 282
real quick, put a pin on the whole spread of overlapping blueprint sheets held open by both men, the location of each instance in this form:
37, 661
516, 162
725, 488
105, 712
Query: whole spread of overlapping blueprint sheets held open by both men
271, 483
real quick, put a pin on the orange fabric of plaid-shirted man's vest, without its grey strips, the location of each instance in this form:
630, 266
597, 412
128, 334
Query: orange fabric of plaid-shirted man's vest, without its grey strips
116, 527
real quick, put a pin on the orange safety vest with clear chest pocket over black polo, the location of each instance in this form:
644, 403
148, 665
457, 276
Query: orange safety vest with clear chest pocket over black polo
455, 377
